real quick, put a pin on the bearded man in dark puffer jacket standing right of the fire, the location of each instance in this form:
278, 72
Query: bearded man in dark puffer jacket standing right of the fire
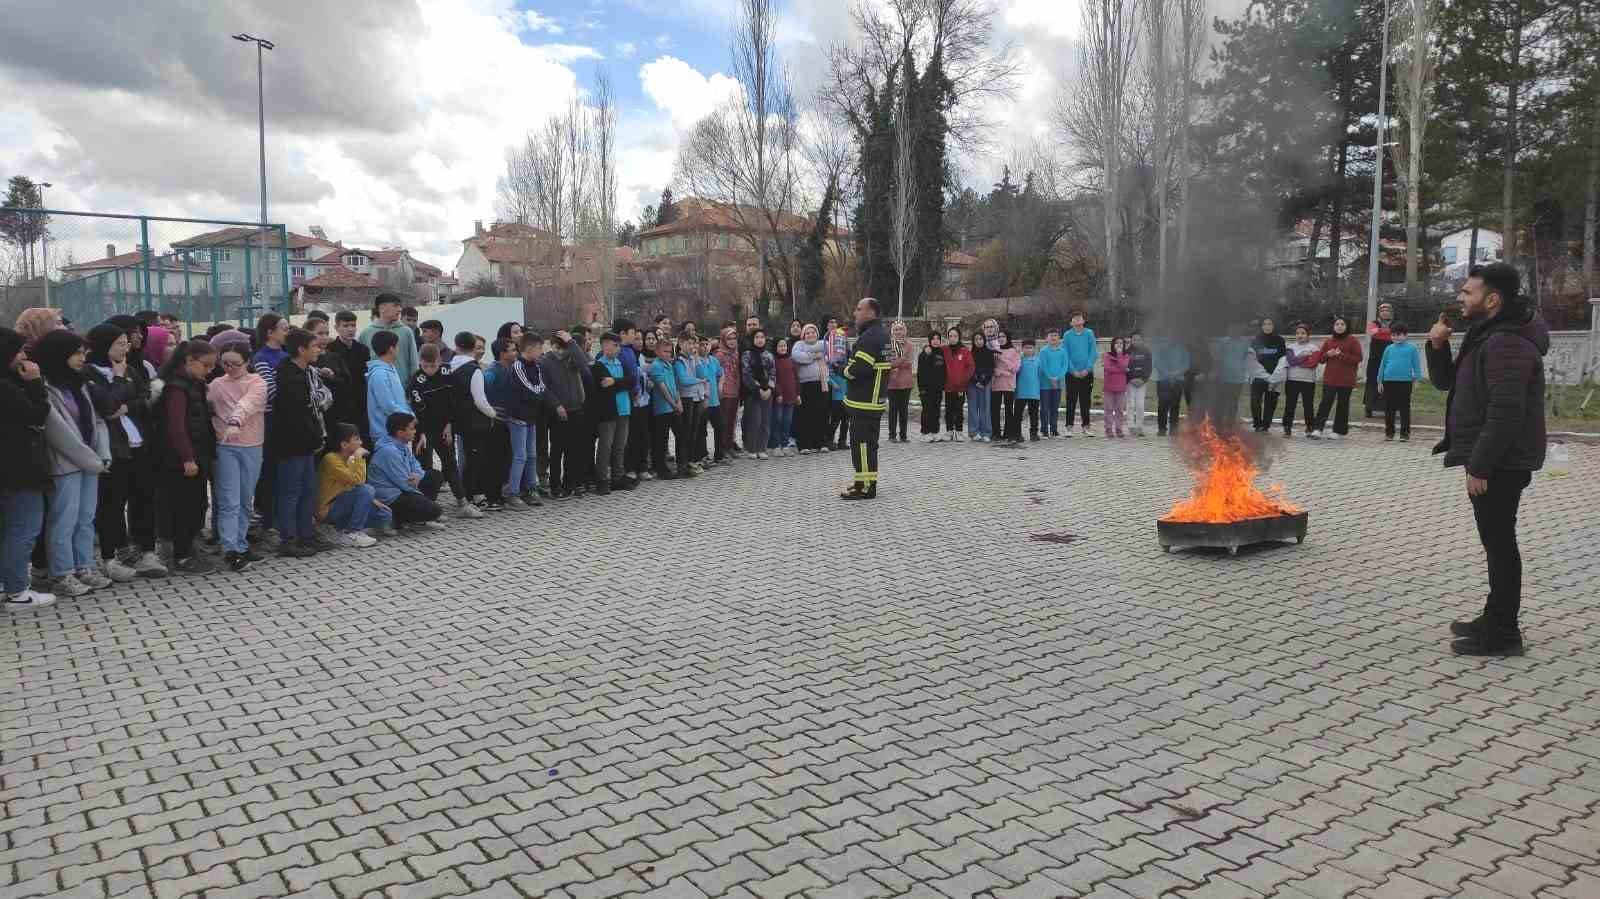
1494, 428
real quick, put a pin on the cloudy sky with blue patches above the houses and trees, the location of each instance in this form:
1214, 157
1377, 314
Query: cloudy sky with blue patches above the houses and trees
386, 121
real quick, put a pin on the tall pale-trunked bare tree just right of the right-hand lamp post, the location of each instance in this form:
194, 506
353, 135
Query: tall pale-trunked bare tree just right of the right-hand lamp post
1418, 58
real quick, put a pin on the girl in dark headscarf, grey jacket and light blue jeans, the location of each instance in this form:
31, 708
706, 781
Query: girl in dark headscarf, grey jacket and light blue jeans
79, 453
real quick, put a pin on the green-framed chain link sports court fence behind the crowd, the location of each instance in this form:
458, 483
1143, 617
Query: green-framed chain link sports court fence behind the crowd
94, 266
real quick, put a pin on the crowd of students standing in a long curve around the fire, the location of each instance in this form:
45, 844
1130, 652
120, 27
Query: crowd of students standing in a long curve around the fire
298, 441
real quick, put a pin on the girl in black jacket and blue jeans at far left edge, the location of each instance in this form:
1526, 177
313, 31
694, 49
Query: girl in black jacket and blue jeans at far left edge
25, 477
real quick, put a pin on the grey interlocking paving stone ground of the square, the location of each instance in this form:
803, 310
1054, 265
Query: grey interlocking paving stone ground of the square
742, 687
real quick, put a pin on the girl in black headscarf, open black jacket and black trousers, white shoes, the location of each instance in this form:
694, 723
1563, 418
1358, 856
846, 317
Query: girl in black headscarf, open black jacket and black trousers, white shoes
126, 525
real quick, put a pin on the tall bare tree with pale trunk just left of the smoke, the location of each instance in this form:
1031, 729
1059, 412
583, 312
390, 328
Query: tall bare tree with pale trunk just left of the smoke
1095, 106
